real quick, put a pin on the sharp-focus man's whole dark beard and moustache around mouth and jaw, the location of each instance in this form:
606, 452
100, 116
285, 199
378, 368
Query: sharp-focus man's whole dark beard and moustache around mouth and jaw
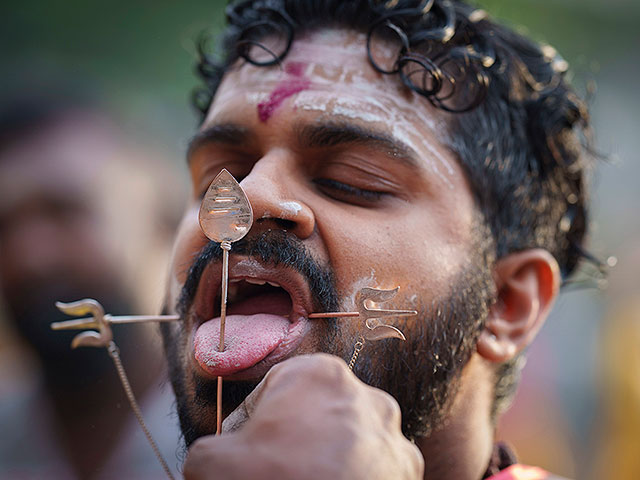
422, 374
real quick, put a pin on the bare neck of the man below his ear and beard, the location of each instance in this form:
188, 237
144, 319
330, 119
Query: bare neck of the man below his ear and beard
462, 447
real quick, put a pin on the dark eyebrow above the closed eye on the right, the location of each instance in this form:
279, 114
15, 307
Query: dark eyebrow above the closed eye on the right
336, 134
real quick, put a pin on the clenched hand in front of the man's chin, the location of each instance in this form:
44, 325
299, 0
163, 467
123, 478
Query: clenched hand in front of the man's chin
310, 418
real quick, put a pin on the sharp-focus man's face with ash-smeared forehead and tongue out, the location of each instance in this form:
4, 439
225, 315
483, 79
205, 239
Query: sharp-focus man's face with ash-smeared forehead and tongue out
351, 186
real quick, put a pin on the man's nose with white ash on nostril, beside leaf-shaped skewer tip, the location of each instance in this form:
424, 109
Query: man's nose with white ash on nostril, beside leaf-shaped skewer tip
271, 187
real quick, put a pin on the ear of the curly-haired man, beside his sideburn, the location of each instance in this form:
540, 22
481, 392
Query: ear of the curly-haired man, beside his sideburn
527, 283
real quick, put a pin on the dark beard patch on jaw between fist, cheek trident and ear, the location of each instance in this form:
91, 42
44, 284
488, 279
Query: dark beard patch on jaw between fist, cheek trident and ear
423, 373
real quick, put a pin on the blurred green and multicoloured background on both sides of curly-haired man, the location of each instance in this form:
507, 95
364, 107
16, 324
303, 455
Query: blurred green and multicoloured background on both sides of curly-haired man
95, 100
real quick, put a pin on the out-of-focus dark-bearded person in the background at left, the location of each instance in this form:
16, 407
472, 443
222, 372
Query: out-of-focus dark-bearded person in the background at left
64, 172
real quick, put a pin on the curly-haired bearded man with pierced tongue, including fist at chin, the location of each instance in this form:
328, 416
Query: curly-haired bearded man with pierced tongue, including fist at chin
409, 143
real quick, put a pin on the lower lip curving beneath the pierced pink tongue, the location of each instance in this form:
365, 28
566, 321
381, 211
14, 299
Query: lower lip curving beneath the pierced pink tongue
260, 363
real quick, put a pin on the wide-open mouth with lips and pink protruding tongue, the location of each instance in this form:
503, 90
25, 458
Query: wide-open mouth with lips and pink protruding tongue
265, 322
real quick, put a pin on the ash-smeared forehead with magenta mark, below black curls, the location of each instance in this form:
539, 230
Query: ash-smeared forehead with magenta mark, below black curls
327, 76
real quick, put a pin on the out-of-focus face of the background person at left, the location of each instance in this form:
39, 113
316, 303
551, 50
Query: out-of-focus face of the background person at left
53, 243
